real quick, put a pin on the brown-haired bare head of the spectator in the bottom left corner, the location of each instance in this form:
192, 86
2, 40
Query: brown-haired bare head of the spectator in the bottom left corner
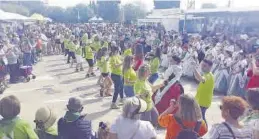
10, 107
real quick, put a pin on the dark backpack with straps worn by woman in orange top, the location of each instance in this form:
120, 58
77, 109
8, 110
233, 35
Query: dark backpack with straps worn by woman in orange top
188, 133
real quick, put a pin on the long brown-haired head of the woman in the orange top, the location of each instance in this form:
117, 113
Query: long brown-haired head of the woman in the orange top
189, 109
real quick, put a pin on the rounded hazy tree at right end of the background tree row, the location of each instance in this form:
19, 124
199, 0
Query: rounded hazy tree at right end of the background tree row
132, 12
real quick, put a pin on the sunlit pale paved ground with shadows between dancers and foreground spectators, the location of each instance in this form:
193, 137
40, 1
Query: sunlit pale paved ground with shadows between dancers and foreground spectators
56, 82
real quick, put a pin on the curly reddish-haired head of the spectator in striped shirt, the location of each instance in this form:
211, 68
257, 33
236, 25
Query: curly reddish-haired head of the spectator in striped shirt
232, 107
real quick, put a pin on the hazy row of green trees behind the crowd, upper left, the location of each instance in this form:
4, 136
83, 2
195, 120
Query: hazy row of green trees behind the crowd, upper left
108, 10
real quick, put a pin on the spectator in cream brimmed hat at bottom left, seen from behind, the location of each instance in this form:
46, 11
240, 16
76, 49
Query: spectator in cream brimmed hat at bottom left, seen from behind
45, 118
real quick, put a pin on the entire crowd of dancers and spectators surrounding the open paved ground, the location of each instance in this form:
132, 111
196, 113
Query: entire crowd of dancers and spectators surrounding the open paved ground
145, 65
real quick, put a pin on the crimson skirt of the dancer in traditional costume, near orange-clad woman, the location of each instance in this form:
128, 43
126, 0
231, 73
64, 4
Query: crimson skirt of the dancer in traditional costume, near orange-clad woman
173, 93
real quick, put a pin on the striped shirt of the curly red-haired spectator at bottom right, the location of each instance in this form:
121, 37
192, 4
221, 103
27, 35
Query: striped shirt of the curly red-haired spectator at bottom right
220, 131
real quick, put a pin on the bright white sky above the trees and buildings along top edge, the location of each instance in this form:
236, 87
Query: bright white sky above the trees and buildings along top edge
148, 3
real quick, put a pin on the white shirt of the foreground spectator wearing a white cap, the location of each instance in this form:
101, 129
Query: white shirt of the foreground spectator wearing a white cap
126, 128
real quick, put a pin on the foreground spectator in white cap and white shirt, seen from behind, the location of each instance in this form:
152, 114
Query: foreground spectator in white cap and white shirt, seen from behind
128, 125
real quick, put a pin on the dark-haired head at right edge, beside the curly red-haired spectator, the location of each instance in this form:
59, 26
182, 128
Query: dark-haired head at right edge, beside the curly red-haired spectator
253, 99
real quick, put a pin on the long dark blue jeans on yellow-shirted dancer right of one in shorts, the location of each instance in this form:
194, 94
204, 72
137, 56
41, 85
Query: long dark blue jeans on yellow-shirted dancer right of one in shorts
118, 86
